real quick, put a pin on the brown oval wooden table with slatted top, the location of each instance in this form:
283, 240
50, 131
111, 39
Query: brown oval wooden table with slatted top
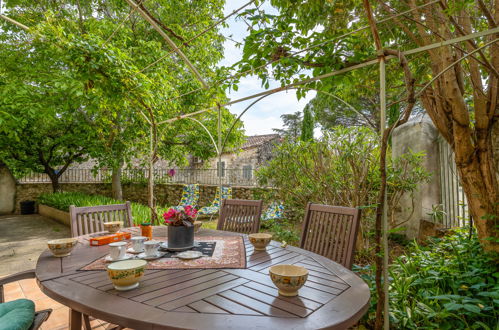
333, 297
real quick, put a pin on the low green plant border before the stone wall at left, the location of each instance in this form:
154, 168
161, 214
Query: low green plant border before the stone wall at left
63, 200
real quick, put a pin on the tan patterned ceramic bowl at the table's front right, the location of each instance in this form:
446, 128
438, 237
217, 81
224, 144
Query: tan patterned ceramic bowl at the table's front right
288, 278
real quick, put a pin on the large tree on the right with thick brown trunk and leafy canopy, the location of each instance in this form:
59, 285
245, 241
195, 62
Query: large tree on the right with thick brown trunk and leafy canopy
310, 38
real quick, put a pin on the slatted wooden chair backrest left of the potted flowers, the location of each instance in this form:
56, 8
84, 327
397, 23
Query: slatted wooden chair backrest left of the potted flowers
89, 219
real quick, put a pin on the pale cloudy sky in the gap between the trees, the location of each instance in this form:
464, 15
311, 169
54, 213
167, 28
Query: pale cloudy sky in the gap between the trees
264, 115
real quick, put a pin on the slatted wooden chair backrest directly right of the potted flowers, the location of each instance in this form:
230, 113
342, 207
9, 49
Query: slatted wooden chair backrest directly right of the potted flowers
240, 215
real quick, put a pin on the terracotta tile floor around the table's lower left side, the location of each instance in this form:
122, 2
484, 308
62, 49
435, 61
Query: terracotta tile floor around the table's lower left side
59, 318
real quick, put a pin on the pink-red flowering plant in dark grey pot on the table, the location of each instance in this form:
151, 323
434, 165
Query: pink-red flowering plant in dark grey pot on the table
180, 227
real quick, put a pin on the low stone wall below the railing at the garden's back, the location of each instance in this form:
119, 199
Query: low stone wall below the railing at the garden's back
166, 194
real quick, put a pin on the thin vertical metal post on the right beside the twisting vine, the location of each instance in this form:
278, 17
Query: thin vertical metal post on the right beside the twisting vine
382, 97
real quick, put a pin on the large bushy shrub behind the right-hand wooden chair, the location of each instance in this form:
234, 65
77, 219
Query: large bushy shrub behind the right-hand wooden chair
340, 169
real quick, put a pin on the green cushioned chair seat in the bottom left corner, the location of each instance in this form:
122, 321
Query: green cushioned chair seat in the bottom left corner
17, 314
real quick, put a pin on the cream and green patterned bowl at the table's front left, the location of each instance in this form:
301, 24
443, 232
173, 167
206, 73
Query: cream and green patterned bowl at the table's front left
126, 274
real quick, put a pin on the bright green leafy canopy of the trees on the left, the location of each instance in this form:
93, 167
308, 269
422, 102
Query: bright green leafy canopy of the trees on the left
67, 69
